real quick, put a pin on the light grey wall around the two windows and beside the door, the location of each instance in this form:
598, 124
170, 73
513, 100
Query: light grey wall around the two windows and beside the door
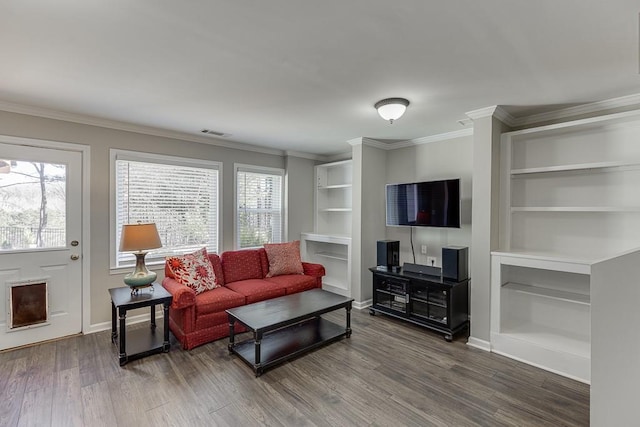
101, 140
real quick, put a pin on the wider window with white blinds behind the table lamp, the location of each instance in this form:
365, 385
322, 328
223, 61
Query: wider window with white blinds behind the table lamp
180, 195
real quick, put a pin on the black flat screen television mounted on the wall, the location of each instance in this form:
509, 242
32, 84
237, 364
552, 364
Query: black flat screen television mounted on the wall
424, 204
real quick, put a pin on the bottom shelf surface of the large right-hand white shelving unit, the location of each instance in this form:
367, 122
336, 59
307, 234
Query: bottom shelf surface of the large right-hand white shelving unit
557, 340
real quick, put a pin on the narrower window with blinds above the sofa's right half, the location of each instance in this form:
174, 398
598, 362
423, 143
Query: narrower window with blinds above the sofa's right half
258, 205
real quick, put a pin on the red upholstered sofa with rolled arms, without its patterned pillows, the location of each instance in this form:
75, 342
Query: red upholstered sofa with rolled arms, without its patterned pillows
199, 319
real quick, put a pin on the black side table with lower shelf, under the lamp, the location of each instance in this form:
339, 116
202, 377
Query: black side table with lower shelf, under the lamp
142, 342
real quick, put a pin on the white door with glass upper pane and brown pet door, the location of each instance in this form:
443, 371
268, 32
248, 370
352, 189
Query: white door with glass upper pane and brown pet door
40, 244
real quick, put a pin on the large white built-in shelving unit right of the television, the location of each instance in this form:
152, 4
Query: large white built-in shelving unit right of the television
569, 199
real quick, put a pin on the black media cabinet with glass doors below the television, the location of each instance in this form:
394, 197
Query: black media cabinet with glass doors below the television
429, 301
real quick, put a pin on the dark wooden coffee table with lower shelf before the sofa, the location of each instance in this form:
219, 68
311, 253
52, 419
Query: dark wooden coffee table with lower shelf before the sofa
286, 327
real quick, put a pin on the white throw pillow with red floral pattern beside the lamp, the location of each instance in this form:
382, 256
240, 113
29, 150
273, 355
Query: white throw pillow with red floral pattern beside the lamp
193, 270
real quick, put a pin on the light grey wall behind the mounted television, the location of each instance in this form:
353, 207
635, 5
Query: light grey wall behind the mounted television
451, 158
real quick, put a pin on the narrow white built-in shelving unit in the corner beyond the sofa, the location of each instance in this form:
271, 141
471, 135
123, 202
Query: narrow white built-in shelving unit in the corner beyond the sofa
330, 242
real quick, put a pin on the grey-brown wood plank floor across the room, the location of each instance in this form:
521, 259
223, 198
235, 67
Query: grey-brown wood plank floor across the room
387, 374
